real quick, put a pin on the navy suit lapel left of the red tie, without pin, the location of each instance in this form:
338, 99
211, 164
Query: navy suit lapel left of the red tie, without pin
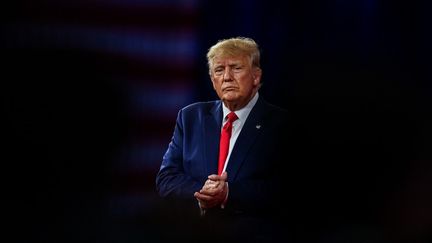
212, 126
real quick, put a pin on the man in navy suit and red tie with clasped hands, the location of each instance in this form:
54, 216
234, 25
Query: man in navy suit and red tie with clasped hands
250, 183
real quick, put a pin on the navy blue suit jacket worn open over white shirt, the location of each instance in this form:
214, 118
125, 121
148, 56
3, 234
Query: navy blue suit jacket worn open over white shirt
254, 167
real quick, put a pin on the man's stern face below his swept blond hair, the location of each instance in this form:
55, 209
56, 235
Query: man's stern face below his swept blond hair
234, 79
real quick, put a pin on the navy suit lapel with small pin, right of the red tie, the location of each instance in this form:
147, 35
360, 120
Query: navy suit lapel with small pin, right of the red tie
246, 138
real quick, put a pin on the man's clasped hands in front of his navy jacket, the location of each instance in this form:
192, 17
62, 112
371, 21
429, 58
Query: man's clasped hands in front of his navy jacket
213, 192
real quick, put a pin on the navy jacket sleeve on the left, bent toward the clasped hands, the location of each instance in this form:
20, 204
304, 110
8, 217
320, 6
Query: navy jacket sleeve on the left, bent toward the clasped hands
171, 180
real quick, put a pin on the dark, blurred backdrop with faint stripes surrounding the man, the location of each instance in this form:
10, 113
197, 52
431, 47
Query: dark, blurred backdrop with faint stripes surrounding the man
90, 91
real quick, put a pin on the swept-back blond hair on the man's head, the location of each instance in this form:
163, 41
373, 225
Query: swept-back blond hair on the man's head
238, 46
